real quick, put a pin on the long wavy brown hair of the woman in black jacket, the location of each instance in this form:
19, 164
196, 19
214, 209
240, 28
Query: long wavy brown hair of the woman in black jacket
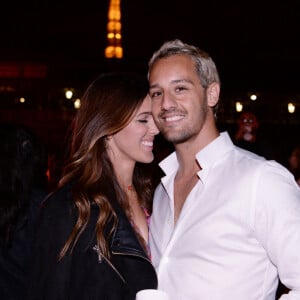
107, 106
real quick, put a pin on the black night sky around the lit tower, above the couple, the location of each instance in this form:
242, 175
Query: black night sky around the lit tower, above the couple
254, 43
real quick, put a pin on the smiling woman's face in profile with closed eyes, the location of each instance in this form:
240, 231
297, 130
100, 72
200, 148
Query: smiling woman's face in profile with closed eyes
134, 143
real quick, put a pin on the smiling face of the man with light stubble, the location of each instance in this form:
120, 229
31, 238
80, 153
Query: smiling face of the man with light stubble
179, 102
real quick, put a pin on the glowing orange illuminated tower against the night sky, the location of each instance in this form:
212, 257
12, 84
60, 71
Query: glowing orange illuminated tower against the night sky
114, 37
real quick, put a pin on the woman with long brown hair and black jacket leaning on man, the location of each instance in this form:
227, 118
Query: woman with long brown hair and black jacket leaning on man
92, 240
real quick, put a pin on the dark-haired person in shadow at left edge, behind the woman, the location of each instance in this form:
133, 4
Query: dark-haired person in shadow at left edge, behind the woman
23, 186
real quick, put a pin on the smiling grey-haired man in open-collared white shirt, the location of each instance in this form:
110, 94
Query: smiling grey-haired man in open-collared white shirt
225, 222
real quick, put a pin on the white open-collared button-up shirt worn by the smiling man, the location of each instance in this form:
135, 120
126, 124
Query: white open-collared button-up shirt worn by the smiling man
238, 229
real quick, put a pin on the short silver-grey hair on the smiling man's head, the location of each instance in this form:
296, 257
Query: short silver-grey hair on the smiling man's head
205, 66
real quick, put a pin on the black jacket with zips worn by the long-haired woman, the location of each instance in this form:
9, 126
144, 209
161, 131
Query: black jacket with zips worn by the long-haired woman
85, 275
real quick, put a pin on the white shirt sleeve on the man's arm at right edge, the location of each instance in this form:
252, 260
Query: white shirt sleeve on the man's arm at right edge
277, 224
